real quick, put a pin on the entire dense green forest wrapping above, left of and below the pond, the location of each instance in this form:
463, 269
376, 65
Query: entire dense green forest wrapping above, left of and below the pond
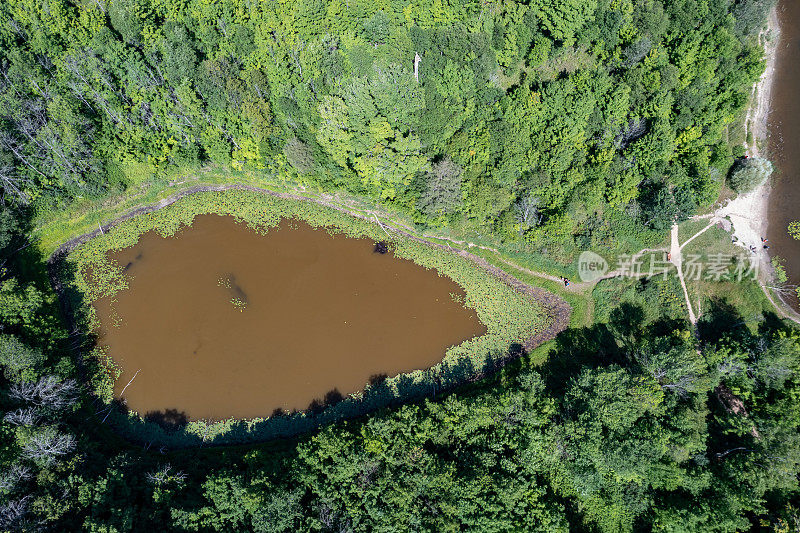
558, 125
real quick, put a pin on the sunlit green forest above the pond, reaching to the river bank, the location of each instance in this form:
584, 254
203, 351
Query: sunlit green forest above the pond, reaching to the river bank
587, 105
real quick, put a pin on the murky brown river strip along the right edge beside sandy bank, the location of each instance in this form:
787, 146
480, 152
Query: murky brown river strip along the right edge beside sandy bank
784, 142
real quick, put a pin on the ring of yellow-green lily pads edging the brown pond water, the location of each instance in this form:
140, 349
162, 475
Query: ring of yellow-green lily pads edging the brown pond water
509, 316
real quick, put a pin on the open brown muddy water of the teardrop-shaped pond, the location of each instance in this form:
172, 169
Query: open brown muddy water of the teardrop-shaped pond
220, 321
